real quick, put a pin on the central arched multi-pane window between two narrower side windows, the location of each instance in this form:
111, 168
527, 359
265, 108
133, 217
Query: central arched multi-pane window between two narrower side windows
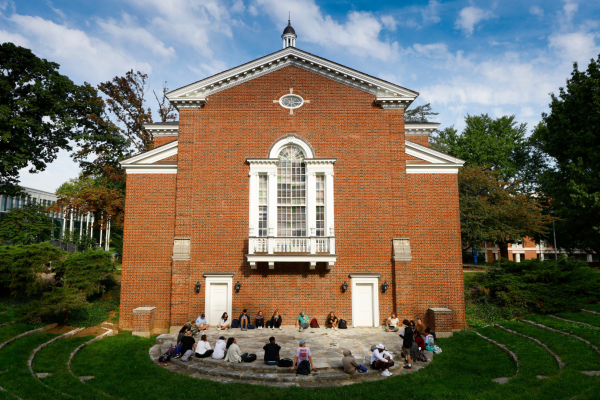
291, 193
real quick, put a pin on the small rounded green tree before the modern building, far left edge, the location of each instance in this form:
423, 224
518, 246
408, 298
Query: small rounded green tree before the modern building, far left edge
26, 225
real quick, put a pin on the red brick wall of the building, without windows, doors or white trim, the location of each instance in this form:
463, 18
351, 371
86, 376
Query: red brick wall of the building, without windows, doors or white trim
372, 197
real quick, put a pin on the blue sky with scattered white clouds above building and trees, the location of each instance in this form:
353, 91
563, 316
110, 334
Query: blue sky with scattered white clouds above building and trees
464, 57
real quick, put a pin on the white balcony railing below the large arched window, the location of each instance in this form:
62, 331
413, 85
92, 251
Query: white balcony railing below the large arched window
308, 245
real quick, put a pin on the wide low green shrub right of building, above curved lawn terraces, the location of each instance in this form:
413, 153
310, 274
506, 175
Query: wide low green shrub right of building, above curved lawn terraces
536, 286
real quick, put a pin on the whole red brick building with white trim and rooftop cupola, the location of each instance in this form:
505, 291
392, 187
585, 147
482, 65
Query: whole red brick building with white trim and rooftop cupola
292, 176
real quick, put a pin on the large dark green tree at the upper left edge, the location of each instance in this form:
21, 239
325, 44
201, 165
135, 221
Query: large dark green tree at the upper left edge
36, 113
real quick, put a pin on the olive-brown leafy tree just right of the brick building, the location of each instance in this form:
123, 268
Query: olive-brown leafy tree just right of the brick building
494, 210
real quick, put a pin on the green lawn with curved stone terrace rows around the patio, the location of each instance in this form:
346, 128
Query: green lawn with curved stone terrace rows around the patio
122, 369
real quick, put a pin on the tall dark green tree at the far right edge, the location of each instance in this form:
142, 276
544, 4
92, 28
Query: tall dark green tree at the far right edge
569, 135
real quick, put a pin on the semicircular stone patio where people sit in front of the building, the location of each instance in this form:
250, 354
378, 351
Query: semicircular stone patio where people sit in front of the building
326, 347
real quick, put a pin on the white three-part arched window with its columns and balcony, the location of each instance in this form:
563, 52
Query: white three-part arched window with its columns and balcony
291, 206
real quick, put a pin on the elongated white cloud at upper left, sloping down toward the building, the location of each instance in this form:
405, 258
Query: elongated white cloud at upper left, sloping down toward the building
75, 50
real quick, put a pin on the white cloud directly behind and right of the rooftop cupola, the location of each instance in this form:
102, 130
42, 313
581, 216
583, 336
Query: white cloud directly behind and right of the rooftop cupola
359, 34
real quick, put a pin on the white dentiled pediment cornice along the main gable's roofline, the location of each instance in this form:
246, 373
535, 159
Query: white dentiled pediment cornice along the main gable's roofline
195, 94
